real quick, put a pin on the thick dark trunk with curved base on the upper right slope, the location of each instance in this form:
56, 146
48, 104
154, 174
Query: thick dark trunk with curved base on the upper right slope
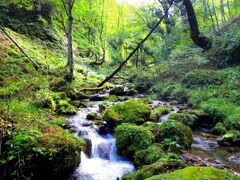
201, 41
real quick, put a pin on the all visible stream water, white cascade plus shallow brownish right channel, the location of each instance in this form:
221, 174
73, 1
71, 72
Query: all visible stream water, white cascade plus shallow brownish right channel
104, 163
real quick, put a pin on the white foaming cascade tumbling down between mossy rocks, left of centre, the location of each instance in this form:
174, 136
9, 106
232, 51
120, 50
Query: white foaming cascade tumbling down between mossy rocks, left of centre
104, 163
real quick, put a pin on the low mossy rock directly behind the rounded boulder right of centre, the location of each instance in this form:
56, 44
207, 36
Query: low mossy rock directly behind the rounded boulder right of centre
185, 118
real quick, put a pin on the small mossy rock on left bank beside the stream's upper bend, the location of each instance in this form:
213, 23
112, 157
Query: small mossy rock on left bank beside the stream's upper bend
63, 107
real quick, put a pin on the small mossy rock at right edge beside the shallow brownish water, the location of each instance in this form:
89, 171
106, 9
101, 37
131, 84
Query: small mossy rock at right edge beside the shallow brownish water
231, 138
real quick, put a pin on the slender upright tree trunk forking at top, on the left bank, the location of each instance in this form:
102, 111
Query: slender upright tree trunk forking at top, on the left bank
68, 6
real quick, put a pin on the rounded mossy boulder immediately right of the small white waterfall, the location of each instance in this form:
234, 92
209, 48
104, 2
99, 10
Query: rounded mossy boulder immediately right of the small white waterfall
131, 138
